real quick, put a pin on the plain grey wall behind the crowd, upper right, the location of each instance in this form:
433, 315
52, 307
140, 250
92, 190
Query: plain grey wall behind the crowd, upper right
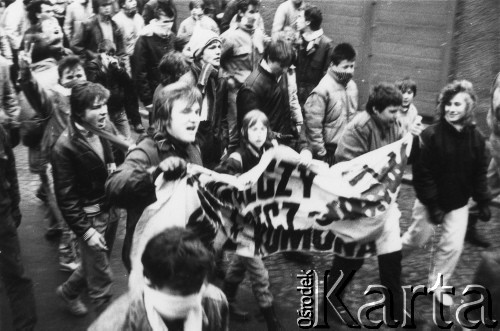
430, 40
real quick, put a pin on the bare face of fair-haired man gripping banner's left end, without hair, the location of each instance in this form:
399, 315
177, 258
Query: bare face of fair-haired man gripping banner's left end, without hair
184, 121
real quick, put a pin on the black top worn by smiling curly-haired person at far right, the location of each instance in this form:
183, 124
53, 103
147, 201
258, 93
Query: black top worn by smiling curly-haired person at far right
451, 166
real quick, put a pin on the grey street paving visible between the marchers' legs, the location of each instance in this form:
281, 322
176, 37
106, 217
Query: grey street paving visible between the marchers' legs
40, 258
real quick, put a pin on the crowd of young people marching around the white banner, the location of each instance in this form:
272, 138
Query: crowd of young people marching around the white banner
220, 92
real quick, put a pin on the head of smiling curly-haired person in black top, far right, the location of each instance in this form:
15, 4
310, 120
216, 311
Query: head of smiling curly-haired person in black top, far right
456, 103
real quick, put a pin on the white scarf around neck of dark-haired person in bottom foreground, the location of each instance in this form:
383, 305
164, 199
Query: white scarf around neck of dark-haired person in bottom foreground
159, 304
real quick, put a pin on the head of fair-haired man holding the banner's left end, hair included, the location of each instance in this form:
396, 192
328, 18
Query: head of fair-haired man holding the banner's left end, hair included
177, 112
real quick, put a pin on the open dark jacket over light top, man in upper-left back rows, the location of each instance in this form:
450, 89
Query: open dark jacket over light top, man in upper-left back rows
87, 41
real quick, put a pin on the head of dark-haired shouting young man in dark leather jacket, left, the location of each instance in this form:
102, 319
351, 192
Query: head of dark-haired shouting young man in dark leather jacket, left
89, 104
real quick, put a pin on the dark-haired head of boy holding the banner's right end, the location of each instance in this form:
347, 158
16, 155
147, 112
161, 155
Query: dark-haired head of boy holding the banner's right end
384, 103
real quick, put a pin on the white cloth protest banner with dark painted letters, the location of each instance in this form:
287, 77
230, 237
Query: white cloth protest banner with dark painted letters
279, 205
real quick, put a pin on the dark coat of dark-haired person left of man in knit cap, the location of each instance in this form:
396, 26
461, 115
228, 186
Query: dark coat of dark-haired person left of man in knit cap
149, 49
